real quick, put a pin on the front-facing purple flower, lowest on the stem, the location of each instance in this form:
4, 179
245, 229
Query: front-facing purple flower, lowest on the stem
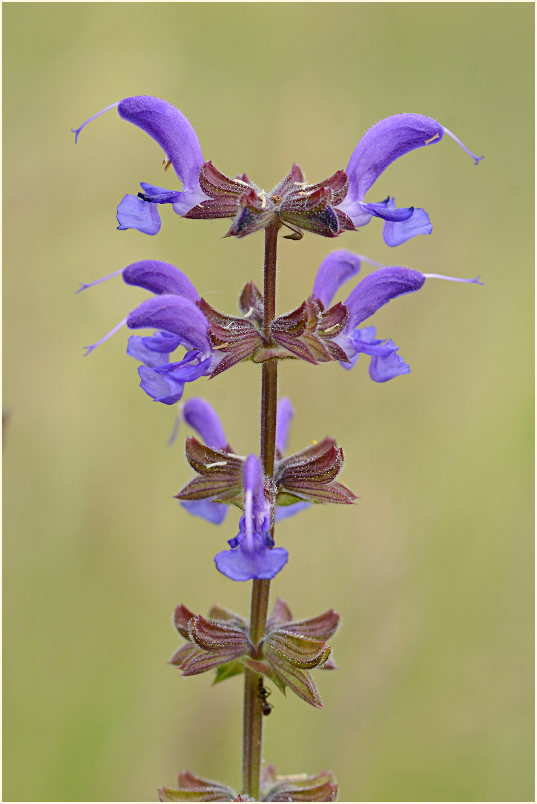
252, 554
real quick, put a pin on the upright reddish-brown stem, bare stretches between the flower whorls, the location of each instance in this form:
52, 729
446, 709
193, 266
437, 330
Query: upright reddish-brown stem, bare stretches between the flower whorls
253, 717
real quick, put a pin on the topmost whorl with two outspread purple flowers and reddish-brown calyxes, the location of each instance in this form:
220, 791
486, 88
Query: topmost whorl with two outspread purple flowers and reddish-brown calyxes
327, 208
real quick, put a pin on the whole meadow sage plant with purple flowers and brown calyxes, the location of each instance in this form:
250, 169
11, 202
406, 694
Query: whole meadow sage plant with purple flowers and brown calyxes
191, 340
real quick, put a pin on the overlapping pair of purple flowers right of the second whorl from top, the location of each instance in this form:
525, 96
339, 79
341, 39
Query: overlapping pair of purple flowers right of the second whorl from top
371, 293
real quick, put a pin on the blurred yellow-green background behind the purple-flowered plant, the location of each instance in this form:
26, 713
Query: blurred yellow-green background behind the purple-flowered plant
432, 570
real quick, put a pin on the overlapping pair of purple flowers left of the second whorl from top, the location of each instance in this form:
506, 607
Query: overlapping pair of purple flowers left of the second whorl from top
178, 321
